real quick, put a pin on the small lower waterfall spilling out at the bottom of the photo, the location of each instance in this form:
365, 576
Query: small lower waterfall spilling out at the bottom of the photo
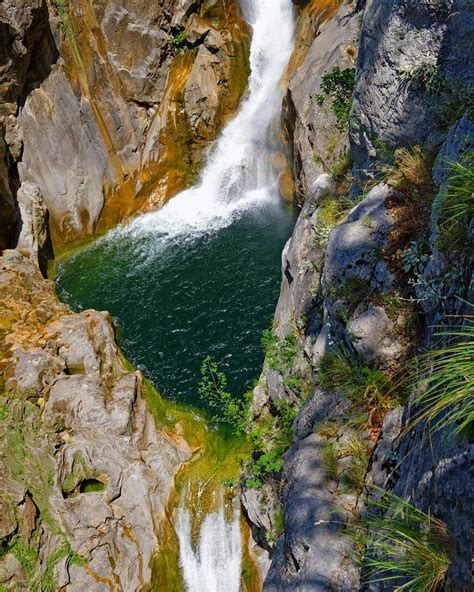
214, 565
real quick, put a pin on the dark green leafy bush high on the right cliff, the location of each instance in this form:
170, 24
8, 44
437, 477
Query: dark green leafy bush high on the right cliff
338, 86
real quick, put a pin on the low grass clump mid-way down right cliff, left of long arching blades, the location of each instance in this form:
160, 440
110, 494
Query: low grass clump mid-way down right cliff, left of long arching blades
363, 386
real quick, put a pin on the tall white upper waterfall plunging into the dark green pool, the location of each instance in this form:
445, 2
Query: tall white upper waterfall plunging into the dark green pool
238, 175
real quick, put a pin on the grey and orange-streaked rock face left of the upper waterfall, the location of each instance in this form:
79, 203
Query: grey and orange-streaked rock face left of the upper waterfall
121, 130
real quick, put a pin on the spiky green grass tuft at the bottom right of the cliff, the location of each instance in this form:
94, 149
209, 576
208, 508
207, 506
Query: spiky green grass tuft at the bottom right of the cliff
402, 545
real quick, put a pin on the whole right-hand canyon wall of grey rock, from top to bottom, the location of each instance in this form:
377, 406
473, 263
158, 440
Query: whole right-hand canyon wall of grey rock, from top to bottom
349, 297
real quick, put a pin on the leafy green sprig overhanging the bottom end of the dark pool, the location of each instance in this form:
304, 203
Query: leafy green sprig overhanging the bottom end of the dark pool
225, 408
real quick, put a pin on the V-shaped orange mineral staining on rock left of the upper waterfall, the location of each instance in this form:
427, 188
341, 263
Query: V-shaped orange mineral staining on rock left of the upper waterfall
156, 149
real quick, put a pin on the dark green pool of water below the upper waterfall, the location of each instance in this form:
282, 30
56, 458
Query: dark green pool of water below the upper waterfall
176, 301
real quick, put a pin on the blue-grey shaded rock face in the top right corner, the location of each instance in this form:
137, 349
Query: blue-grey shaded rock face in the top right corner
415, 75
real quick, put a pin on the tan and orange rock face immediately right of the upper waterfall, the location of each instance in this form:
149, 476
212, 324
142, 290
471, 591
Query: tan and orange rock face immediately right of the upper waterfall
327, 37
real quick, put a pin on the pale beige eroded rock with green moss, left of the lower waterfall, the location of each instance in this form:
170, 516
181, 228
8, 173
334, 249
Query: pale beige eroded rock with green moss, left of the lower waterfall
86, 471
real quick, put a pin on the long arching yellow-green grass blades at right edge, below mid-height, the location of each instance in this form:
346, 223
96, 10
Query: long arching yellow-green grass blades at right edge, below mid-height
446, 378
